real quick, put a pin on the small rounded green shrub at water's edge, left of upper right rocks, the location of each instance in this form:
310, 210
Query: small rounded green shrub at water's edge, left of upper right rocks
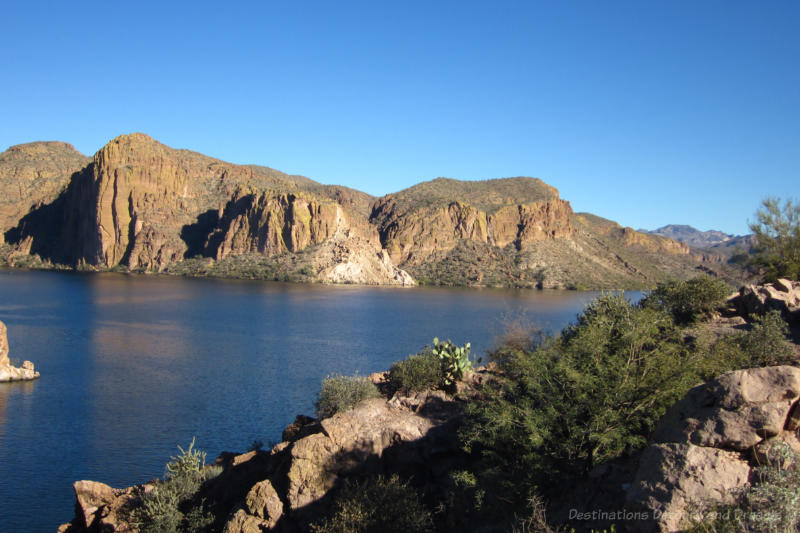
688, 300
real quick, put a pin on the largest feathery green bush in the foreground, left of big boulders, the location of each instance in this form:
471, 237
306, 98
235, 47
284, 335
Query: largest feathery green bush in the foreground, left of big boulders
587, 396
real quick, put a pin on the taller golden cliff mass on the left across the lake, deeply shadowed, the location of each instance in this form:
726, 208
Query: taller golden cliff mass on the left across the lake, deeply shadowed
142, 205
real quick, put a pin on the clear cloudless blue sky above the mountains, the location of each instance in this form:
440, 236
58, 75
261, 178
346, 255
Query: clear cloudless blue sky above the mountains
645, 112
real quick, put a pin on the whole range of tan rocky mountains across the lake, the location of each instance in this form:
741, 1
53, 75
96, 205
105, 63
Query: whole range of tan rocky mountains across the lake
139, 205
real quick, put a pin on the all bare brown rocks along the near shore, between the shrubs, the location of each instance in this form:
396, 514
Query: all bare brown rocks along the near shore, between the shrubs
705, 450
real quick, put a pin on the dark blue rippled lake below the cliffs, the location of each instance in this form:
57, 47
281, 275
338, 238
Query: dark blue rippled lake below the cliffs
133, 366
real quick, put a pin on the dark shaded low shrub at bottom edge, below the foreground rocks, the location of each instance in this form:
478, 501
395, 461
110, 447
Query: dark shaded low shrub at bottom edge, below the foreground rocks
381, 504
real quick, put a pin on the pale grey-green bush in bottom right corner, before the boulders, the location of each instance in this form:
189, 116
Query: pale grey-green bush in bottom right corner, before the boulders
771, 503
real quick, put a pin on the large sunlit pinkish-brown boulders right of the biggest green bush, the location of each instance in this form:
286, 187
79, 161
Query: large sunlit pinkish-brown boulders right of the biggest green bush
704, 446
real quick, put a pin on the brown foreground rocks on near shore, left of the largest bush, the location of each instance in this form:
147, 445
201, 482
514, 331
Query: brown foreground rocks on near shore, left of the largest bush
289, 487
